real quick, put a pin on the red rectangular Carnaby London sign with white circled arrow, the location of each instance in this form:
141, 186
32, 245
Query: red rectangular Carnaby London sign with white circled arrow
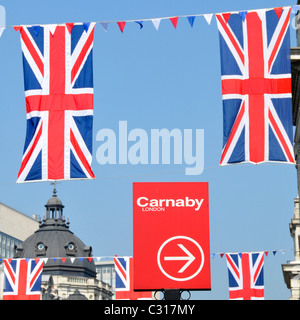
171, 236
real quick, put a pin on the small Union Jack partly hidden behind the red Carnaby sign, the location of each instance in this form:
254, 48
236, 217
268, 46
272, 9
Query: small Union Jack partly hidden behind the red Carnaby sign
124, 281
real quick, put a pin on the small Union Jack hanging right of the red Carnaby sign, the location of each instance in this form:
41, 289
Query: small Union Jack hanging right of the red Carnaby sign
246, 278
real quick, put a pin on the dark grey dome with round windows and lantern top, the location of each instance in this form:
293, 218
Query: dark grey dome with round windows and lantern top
53, 240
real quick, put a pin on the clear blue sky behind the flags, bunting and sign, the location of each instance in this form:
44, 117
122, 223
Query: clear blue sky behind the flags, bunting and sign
151, 79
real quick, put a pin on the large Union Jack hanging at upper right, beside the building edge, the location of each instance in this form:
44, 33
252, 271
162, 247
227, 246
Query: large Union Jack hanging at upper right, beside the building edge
256, 86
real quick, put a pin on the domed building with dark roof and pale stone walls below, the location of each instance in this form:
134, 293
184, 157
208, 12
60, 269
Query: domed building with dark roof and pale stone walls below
67, 273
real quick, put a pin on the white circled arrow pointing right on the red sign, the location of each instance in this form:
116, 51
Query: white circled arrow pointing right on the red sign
190, 251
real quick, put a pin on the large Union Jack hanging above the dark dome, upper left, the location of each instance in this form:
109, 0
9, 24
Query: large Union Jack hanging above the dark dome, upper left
58, 81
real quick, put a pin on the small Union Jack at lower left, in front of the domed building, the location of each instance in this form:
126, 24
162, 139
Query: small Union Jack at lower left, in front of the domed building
22, 279
